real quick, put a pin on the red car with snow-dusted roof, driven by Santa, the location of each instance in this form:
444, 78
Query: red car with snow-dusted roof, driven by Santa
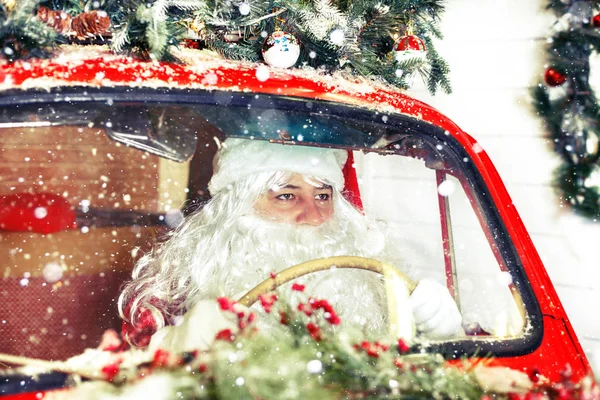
99, 153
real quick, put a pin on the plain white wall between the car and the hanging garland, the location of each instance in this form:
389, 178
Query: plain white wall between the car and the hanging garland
496, 52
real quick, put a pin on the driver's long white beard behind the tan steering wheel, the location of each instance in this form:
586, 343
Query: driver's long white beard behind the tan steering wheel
258, 247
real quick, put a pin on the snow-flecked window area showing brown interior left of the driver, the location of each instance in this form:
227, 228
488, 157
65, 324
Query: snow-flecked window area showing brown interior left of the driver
75, 208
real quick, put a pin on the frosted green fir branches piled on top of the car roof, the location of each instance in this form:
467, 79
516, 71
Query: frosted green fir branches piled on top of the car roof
152, 29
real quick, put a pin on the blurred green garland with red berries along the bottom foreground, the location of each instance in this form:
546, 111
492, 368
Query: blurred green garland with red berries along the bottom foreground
307, 359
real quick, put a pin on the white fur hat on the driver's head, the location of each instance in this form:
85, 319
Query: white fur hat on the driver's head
240, 158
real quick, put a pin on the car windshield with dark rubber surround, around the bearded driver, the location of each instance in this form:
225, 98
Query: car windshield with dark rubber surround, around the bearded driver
88, 187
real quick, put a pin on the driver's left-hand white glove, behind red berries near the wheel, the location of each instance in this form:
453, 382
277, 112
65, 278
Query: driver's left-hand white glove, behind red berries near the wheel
197, 331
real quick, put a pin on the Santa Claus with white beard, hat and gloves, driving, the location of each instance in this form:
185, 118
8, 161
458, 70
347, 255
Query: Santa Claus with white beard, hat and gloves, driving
273, 206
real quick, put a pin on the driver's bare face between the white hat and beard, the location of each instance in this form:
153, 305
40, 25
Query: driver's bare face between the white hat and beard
298, 202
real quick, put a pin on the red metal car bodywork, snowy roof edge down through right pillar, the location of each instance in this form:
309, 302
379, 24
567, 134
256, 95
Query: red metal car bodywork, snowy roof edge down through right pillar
559, 346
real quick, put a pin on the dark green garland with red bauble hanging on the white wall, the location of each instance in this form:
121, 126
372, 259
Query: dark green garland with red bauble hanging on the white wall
568, 104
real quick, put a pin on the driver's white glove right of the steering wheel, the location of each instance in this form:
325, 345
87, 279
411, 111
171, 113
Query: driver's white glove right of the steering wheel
435, 312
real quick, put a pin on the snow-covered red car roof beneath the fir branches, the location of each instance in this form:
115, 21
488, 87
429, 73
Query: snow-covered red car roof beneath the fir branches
96, 66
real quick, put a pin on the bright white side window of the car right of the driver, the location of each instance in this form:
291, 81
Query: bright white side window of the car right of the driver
405, 194
